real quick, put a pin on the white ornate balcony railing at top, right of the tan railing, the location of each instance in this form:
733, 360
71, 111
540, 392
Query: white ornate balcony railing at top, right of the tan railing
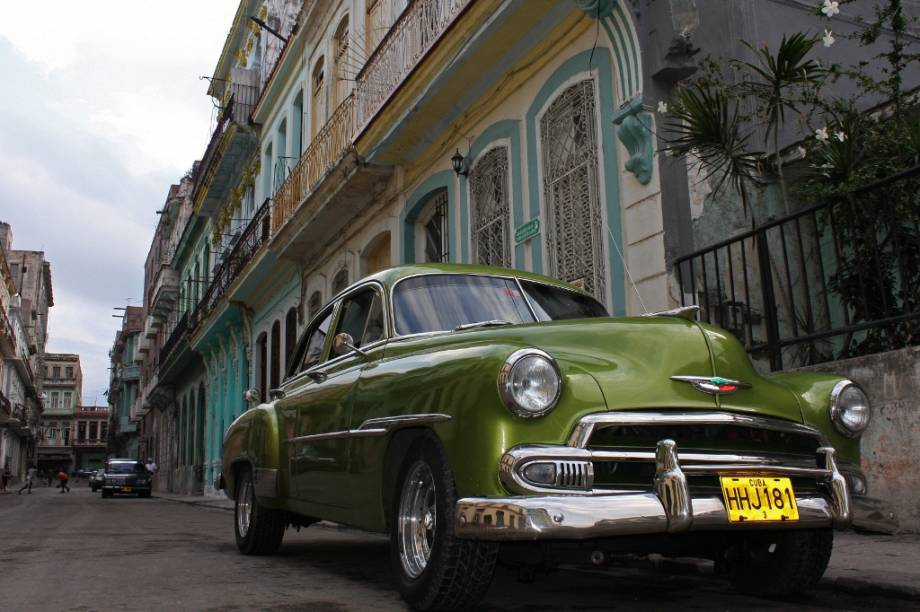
410, 38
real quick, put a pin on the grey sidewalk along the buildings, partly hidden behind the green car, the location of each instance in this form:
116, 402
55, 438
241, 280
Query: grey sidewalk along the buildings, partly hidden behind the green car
862, 563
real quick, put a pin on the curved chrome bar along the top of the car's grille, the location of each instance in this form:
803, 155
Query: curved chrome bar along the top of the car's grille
581, 435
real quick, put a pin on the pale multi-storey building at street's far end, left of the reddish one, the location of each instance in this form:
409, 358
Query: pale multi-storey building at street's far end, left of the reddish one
63, 383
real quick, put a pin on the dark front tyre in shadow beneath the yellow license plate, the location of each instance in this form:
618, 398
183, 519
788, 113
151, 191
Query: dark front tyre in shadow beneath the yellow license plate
771, 563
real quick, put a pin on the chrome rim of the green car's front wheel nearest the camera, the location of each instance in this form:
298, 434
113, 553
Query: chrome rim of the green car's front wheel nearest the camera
417, 519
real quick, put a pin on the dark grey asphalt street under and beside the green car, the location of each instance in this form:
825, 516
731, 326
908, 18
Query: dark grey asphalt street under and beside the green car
78, 552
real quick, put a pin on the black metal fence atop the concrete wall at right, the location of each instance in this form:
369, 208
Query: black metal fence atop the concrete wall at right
837, 280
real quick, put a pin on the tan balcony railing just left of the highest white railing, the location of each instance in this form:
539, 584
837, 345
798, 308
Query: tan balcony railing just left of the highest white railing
327, 147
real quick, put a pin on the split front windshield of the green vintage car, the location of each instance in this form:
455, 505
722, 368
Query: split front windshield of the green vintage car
444, 302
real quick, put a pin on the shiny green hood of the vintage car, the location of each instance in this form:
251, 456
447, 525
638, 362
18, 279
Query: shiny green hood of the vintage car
633, 360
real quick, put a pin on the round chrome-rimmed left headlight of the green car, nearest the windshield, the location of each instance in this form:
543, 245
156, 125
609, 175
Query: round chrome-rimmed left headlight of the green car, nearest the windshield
530, 383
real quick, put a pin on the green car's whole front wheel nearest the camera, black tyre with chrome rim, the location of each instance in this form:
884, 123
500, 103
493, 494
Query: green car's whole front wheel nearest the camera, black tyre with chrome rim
434, 569
